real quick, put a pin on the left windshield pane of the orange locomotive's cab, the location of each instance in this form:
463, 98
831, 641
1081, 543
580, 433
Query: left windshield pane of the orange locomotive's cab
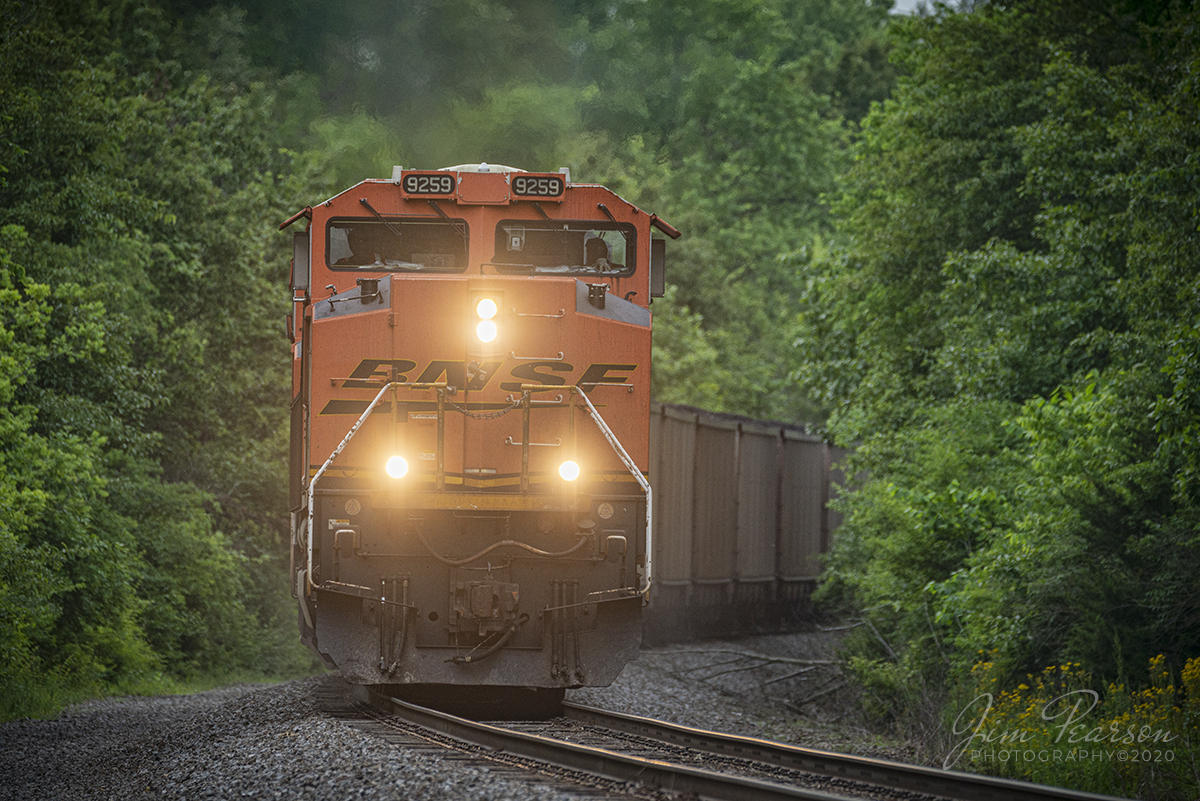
404, 245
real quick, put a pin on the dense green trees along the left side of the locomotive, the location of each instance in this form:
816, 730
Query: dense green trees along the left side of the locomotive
142, 374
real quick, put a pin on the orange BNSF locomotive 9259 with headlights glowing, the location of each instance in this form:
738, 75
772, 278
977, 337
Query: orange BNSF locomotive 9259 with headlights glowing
470, 430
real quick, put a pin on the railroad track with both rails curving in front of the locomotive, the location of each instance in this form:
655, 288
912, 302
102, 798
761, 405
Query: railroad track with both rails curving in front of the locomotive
625, 752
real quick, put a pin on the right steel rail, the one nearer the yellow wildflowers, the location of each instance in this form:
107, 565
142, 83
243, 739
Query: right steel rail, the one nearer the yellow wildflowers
917, 779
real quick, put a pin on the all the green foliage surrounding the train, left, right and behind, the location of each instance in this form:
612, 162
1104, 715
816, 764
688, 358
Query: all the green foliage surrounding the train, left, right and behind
965, 240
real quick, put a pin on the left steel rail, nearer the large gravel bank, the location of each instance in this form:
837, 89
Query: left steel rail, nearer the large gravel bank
598, 762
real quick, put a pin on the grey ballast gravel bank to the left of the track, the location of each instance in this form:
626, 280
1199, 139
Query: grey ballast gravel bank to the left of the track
239, 743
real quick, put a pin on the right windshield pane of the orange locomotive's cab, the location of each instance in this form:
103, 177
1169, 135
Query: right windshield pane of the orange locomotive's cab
565, 248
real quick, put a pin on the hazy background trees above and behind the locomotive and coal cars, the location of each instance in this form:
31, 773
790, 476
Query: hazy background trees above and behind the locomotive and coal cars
729, 118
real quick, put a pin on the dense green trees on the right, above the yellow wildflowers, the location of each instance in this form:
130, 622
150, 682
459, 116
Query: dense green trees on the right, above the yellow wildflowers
1009, 329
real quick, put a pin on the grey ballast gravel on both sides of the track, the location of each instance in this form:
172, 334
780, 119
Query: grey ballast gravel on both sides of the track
277, 742
